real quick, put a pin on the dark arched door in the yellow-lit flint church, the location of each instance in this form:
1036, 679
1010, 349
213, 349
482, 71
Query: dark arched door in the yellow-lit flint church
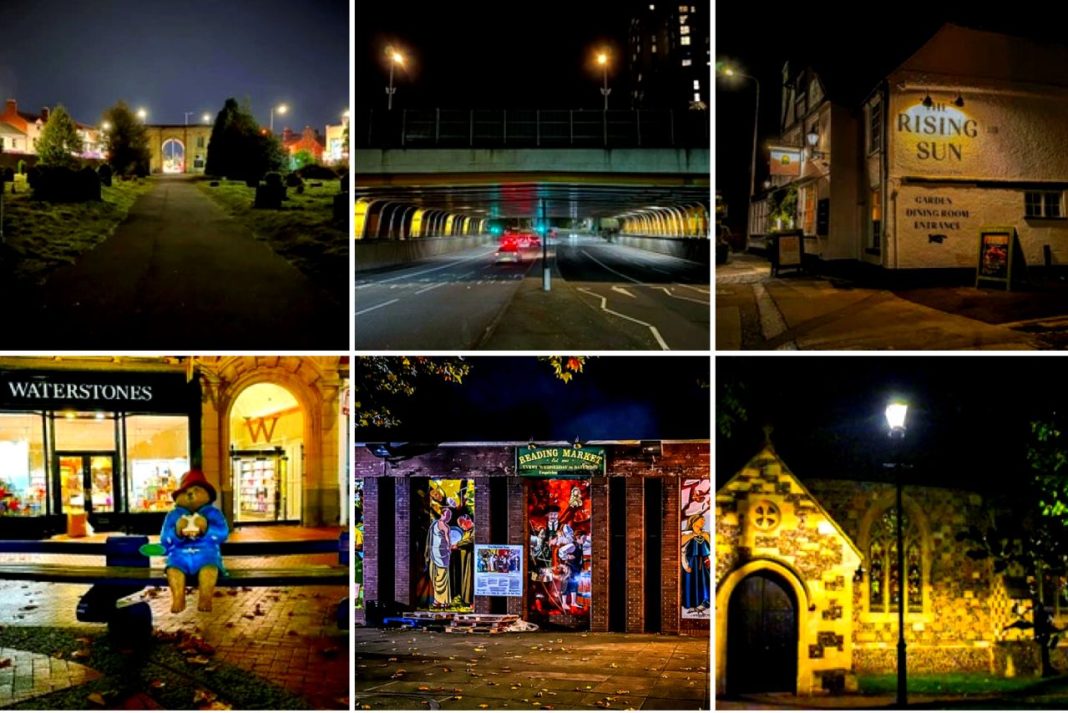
762, 637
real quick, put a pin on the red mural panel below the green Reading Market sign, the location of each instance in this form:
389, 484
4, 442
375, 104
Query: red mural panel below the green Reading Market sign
559, 559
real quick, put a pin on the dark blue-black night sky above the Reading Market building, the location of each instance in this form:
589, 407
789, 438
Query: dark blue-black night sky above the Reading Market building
515, 399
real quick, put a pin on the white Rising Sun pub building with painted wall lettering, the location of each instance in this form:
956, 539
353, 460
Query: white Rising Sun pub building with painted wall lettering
906, 172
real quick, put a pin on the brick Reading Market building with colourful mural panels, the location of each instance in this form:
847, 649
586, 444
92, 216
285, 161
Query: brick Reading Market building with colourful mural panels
603, 536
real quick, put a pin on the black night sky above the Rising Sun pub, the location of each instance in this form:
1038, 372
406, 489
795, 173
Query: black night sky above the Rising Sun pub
856, 49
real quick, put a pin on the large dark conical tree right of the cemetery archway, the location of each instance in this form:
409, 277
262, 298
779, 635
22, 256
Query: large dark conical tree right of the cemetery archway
239, 149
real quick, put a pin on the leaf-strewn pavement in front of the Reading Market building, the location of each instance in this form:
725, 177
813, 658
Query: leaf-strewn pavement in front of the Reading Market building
421, 670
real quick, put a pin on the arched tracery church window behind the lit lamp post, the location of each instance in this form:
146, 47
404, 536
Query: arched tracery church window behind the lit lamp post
885, 585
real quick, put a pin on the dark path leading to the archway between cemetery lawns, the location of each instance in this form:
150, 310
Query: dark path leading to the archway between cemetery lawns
180, 274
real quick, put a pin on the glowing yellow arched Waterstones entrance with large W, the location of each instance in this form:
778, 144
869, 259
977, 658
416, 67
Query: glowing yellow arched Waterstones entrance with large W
268, 426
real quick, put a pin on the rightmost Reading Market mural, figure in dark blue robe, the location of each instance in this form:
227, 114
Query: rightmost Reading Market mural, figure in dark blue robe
696, 583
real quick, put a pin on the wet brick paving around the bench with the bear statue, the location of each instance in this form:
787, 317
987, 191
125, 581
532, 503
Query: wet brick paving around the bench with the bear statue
287, 636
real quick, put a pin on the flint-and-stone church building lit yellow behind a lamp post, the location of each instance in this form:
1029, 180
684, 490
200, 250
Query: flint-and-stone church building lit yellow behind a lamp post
808, 587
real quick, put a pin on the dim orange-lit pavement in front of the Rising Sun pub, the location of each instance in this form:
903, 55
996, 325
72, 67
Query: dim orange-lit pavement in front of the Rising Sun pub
756, 311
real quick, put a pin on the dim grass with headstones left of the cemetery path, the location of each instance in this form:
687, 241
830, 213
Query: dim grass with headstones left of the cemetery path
42, 236
